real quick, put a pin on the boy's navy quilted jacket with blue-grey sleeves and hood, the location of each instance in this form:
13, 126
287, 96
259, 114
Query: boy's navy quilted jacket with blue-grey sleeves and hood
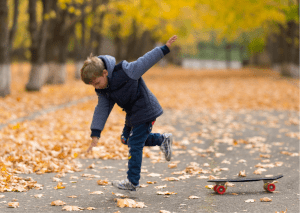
127, 88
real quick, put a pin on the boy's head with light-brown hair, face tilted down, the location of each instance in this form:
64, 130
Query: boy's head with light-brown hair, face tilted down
93, 72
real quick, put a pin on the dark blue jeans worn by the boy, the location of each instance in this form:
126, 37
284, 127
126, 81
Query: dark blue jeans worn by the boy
136, 138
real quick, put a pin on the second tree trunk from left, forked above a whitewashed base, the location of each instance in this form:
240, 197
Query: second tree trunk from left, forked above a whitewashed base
39, 69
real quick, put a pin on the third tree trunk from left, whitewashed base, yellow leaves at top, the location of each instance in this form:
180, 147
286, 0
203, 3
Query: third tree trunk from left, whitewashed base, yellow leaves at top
67, 14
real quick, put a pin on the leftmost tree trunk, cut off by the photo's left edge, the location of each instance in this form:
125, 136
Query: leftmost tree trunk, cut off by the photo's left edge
5, 73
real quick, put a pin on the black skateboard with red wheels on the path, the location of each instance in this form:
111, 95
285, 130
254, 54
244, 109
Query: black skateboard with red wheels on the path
269, 186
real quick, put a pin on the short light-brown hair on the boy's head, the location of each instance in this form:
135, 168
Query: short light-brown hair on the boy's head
92, 68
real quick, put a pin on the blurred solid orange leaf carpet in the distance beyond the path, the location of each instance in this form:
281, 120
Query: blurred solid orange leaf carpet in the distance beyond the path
175, 88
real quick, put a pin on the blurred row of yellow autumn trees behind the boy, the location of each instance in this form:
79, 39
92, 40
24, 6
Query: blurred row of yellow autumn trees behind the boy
213, 34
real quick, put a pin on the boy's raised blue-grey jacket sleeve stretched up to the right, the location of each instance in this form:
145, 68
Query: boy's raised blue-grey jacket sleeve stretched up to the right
137, 68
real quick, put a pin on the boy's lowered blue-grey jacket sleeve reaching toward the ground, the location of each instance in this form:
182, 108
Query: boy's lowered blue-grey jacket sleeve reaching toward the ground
101, 113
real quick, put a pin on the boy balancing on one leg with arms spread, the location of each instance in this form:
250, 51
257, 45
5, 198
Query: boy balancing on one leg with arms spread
122, 84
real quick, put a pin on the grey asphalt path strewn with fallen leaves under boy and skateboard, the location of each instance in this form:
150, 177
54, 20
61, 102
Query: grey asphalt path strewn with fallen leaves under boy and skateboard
207, 145
